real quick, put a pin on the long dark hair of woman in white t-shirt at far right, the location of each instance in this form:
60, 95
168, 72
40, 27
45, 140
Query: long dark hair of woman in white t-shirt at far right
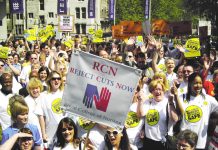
191, 79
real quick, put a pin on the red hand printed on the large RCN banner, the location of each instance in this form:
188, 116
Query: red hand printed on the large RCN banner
102, 102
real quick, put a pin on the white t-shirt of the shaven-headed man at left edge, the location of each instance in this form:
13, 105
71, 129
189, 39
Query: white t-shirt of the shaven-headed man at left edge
5, 117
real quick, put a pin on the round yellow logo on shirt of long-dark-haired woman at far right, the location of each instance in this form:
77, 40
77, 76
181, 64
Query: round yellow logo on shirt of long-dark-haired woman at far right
193, 113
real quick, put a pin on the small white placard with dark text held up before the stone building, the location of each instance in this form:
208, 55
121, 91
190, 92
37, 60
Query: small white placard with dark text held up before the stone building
66, 23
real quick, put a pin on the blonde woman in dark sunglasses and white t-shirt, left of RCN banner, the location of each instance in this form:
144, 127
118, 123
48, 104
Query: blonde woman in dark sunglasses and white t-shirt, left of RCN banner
48, 109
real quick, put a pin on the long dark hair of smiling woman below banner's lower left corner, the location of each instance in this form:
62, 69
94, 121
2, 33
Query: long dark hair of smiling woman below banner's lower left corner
60, 139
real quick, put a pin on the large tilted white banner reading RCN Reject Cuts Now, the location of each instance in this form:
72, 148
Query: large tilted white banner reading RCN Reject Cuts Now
98, 89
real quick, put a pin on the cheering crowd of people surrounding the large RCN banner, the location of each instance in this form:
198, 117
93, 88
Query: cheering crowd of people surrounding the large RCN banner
172, 105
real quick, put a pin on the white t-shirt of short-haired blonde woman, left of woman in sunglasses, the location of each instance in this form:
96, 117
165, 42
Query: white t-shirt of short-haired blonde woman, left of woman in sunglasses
33, 118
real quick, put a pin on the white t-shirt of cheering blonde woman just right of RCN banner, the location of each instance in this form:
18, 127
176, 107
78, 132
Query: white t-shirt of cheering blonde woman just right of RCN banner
155, 119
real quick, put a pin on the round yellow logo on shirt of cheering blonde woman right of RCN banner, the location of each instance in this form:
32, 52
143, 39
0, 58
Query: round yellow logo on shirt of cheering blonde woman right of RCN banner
152, 117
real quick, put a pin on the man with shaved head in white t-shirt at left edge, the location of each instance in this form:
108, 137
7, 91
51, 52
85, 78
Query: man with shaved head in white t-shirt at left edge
5, 94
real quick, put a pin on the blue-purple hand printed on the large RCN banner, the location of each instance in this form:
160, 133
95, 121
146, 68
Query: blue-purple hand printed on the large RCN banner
88, 97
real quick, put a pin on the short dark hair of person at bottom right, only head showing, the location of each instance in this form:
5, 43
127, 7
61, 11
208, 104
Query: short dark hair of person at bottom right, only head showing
189, 136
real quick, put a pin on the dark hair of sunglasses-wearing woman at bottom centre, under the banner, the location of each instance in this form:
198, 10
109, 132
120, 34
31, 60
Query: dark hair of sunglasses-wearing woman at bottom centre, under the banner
124, 143
